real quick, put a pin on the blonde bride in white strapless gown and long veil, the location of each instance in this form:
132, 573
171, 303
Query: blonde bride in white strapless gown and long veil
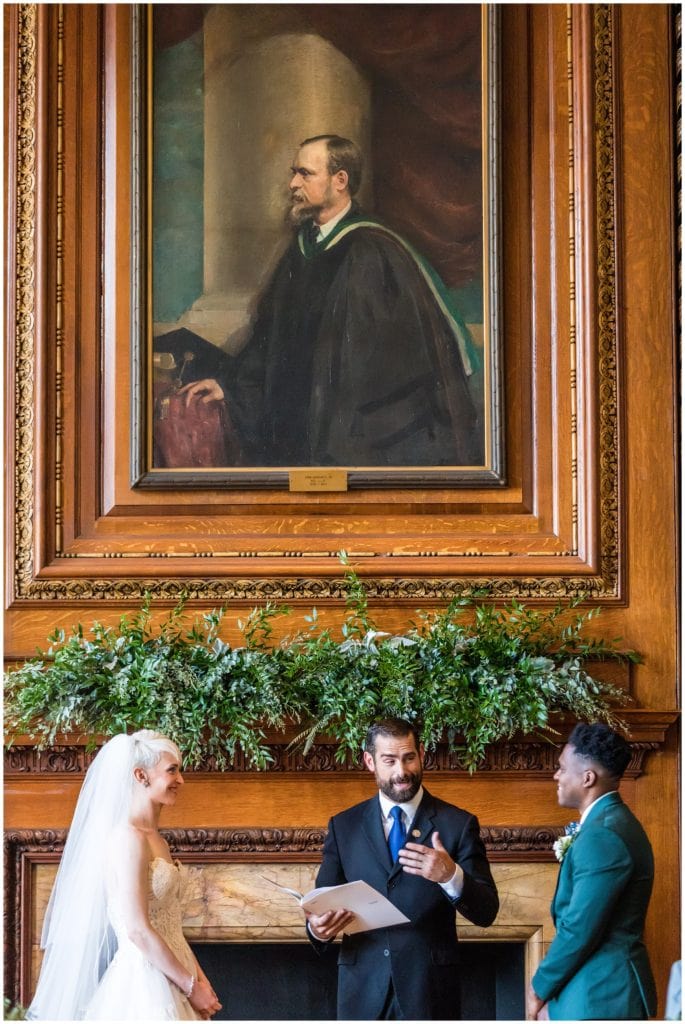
114, 945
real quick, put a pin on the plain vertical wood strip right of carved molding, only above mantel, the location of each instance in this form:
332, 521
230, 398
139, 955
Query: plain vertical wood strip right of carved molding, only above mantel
650, 366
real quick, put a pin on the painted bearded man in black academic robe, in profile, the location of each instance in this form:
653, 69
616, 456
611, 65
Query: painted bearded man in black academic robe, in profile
356, 356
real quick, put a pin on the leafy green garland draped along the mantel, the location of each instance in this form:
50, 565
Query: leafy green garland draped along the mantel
472, 679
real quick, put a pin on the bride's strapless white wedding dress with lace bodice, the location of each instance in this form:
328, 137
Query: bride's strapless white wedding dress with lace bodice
132, 989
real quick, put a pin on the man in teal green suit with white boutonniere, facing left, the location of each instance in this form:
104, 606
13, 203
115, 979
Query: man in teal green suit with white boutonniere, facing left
597, 967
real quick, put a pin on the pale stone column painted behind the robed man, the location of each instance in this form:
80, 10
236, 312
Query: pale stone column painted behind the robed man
262, 101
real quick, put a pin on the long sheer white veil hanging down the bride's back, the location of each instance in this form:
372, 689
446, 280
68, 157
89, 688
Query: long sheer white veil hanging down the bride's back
77, 938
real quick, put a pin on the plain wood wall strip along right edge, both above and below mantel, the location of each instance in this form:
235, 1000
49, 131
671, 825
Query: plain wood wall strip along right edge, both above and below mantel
647, 326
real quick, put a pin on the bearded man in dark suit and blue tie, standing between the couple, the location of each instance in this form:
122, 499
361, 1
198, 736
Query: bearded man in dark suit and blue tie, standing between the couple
409, 972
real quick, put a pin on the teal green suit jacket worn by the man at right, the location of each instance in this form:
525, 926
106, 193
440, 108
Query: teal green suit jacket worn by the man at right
597, 967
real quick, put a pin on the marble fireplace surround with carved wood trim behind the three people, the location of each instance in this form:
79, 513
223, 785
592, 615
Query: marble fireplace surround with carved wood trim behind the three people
231, 900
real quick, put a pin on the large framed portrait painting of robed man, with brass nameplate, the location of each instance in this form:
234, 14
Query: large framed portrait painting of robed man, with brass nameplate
317, 278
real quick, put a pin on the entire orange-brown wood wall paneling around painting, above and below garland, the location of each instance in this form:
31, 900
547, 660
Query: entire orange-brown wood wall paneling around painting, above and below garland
90, 544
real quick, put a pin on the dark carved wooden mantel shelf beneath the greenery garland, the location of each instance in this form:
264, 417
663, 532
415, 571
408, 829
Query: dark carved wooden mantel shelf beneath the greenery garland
519, 757
